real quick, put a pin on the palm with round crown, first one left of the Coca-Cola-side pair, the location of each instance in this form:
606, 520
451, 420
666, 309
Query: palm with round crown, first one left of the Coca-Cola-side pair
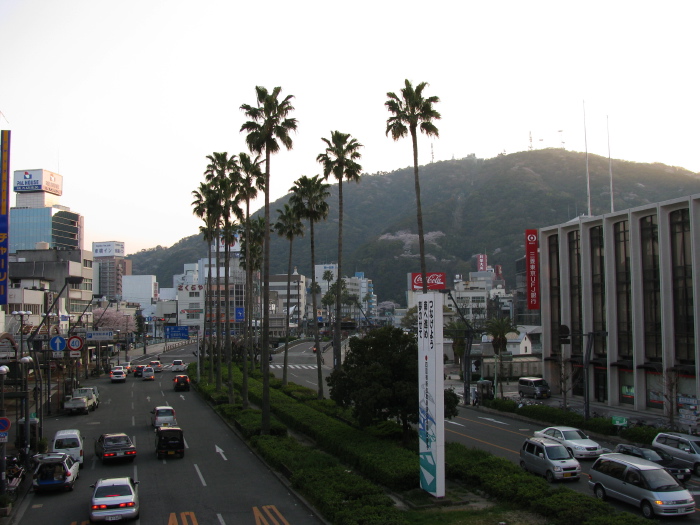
309, 200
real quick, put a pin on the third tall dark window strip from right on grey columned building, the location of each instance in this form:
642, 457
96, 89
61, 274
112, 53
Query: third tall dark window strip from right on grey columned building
623, 289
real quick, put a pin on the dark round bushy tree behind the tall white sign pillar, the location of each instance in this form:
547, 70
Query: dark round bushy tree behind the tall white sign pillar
379, 379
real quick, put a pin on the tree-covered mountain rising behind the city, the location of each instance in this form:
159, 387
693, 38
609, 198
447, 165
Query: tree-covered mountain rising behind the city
470, 206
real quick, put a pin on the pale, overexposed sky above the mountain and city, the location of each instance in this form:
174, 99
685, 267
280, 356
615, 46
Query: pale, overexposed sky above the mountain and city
125, 99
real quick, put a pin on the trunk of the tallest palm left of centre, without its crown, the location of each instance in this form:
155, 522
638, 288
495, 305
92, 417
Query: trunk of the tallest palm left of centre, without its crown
265, 363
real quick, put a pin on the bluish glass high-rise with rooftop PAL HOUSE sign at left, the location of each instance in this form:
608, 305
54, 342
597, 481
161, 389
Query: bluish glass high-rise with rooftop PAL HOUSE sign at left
38, 217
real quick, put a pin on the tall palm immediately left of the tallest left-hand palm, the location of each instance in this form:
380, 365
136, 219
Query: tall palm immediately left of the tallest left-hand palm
252, 181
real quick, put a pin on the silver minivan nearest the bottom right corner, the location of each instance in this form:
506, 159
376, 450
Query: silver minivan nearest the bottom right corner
641, 483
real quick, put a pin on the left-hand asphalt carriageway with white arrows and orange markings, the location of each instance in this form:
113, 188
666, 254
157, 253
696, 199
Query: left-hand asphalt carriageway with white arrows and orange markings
219, 481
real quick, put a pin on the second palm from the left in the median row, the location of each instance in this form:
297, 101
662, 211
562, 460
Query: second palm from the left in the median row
218, 175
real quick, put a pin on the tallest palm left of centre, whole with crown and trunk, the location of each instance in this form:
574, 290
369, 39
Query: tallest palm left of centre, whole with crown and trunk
268, 126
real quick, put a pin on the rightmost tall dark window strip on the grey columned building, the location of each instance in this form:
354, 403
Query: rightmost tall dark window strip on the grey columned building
682, 276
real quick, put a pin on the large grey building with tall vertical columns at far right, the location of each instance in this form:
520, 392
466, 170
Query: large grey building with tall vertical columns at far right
624, 285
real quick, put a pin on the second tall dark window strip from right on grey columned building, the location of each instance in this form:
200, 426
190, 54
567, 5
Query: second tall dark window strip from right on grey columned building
651, 287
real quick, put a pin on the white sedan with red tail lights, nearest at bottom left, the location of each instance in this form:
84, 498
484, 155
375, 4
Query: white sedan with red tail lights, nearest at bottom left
114, 499
